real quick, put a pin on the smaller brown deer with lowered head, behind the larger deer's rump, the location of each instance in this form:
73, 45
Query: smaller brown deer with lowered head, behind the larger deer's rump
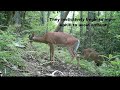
92, 55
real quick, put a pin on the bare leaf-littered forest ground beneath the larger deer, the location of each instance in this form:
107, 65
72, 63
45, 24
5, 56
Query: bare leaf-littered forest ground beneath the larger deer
60, 68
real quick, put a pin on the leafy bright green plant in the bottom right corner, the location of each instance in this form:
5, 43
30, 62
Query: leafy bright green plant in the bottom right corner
111, 67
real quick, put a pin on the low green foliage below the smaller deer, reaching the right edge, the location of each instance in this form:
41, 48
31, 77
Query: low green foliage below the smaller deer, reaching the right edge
108, 68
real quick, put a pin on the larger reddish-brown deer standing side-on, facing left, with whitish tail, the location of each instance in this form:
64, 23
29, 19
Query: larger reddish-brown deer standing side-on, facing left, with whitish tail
59, 39
